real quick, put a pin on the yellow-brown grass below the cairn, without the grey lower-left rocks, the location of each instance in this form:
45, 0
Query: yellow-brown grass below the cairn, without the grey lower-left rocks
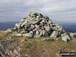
37, 48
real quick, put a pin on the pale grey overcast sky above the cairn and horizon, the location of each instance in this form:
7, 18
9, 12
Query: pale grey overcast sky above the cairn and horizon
57, 10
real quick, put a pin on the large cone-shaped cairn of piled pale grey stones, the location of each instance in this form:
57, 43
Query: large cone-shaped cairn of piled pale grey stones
36, 25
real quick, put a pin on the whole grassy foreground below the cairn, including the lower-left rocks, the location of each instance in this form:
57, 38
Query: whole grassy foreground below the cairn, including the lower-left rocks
14, 46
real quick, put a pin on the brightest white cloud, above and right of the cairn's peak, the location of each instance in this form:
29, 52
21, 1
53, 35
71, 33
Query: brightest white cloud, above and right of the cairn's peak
60, 6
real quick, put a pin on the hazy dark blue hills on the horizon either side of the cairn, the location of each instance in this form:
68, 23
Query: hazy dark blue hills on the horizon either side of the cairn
70, 27
